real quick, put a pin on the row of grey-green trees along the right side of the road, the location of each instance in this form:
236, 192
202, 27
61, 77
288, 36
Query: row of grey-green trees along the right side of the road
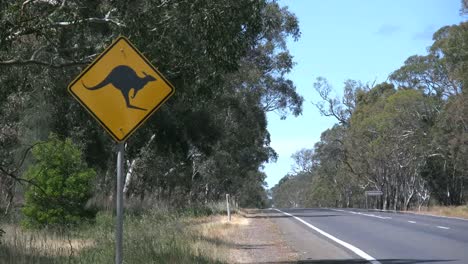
407, 137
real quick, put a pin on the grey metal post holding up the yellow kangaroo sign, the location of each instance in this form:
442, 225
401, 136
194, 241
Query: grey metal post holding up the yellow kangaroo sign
119, 208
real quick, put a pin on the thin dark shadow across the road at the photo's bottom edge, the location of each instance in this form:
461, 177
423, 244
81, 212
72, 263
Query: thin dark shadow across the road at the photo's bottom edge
360, 261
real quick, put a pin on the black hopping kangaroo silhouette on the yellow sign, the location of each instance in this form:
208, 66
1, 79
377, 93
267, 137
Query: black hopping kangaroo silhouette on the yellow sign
124, 79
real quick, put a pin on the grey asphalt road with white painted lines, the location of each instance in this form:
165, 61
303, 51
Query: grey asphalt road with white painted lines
339, 236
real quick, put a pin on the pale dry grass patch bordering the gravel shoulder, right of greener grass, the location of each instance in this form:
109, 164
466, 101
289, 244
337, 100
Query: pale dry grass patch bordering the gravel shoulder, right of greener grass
215, 235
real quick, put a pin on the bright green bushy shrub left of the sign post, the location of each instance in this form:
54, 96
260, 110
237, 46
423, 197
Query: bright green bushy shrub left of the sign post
62, 185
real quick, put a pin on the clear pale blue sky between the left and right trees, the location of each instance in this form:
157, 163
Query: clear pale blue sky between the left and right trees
363, 40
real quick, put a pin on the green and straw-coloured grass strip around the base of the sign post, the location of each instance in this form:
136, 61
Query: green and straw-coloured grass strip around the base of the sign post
157, 236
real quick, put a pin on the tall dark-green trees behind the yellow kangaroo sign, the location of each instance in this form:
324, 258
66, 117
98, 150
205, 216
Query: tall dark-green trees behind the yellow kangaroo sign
227, 59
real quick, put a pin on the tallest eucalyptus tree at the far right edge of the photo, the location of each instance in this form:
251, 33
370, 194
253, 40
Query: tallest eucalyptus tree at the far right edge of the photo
442, 76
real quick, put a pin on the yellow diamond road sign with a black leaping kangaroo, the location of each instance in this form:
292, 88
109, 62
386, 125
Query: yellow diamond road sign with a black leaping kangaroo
121, 89
